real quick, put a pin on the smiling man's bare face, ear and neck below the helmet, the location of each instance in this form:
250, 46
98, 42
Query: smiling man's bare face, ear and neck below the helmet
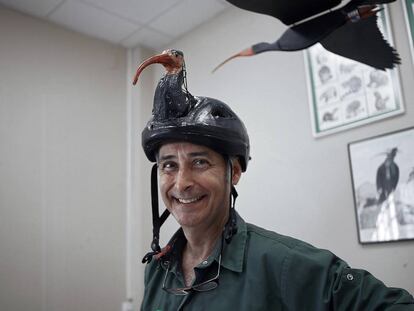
192, 181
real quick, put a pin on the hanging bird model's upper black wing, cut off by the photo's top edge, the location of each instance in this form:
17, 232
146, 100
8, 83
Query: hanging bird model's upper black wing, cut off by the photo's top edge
288, 11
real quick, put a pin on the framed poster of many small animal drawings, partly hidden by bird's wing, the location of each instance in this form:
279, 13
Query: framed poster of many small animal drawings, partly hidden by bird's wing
344, 93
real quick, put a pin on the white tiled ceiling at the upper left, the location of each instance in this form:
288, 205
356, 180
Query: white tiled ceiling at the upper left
149, 23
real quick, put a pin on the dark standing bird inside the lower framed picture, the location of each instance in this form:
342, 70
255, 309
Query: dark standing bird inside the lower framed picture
388, 175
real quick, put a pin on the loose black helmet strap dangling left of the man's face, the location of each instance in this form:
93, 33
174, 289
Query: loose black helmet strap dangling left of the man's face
157, 221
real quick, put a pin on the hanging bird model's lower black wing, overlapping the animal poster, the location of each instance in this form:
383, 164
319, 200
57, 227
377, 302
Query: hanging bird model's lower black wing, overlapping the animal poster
363, 42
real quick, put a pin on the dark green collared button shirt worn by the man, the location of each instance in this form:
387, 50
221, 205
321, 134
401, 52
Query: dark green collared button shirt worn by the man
262, 270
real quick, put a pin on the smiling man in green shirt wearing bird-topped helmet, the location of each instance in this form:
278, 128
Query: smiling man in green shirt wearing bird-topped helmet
216, 261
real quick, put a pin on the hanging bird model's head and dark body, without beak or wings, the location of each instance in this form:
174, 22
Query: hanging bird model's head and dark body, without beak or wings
304, 35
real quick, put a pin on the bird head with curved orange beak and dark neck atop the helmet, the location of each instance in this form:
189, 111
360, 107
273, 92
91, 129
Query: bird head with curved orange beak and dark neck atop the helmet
171, 98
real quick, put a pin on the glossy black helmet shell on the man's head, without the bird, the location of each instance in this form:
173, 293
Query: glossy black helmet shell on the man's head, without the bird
209, 123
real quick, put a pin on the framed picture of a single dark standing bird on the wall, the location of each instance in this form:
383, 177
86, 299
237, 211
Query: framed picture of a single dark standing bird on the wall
382, 170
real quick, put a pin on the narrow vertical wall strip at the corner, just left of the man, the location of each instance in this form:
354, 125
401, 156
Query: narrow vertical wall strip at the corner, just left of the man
140, 220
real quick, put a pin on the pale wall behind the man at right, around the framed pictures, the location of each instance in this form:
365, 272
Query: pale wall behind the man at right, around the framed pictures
295, 184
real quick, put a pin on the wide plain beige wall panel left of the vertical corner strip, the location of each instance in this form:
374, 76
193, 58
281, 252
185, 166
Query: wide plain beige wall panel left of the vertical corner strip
62, 168
